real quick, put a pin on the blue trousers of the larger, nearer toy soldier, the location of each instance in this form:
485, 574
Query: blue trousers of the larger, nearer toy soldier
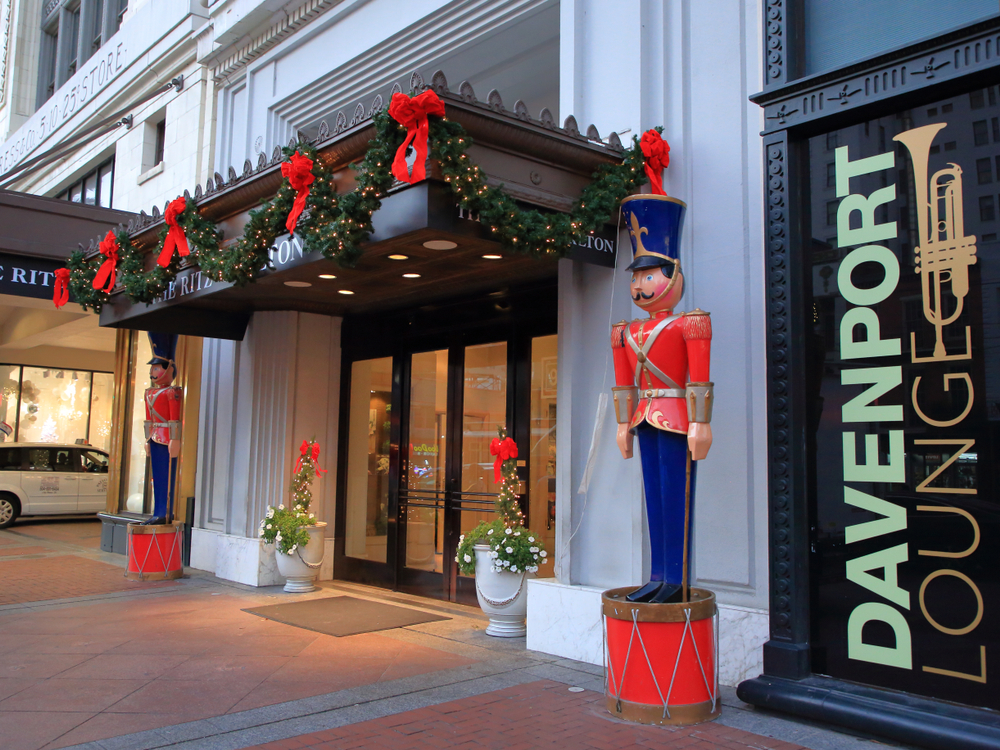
664, 472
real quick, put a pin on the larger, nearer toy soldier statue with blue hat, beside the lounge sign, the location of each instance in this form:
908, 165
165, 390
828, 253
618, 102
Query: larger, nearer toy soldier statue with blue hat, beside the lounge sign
663, 393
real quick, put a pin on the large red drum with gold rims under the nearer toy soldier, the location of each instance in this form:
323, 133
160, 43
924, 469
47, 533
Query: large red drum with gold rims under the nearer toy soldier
661, 659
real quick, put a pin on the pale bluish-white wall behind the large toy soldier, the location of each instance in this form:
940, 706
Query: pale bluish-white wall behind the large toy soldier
689, 66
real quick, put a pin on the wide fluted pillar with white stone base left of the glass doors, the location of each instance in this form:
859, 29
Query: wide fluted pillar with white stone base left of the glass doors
261, 397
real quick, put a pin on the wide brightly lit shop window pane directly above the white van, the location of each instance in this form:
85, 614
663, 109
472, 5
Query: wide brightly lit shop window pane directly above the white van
55, 406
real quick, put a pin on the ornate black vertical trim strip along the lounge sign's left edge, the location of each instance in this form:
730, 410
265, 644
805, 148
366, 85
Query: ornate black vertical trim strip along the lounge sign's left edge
778, 390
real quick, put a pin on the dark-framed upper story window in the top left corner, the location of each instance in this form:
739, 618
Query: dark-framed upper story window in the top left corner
72, 31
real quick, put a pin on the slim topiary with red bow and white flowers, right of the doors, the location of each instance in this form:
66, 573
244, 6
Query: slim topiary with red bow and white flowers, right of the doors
512, 546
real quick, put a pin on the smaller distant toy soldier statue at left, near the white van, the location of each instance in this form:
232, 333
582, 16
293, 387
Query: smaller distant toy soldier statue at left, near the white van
163, 425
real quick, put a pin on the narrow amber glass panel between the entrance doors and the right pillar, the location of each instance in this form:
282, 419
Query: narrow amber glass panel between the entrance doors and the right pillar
542, 459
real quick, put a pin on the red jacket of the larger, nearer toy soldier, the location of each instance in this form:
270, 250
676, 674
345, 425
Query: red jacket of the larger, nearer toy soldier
660, 356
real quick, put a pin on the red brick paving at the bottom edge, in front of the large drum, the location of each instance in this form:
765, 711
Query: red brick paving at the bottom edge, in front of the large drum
541, 714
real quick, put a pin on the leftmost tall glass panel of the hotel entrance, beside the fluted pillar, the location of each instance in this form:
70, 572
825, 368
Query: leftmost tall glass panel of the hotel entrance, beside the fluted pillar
368, 459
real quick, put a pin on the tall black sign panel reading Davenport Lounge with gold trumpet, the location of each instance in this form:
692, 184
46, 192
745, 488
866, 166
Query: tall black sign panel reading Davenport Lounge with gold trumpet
904, 391
